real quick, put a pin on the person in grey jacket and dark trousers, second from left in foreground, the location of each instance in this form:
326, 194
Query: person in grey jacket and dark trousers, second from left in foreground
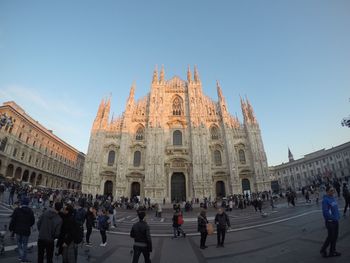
49, 226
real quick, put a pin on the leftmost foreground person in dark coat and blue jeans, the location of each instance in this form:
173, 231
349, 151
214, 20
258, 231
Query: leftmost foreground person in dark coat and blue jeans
22, 220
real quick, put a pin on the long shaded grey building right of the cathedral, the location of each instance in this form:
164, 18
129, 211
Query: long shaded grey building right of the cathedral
331, 163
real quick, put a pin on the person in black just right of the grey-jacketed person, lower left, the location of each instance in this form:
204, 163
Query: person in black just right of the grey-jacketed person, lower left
69, 237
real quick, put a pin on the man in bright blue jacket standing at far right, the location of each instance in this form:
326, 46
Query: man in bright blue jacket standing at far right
331, 215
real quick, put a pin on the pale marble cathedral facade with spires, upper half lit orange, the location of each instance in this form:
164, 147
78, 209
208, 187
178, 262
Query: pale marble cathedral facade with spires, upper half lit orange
175, 143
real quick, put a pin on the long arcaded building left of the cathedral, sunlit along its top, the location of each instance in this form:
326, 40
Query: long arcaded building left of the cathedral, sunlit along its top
30, 153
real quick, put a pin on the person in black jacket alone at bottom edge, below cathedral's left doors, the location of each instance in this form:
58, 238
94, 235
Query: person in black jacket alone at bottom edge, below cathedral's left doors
140, 232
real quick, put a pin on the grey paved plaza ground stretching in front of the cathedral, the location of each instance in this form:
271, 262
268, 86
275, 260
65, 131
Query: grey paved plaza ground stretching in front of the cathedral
287, 234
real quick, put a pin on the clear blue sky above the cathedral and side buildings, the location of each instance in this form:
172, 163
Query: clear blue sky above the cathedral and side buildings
291, 58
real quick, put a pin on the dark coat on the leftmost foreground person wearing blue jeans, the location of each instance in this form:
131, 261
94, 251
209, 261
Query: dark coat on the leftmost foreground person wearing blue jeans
22, 220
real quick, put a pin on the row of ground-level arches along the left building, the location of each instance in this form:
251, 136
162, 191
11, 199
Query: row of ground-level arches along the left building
35, 178
